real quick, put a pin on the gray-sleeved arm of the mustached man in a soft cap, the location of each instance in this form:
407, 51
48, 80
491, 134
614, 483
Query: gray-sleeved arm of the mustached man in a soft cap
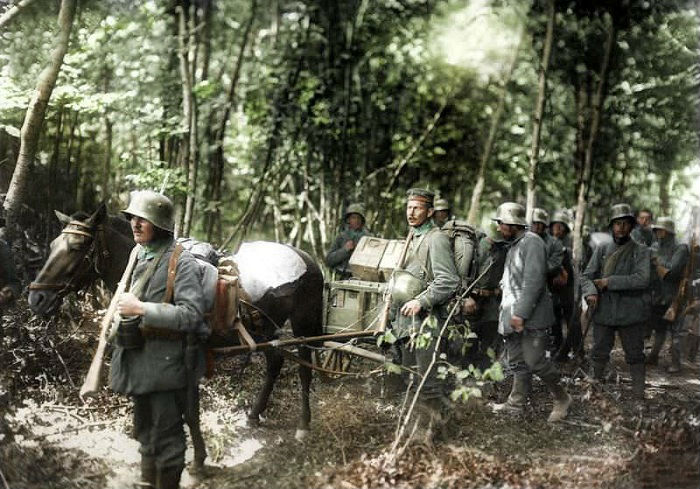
445, 279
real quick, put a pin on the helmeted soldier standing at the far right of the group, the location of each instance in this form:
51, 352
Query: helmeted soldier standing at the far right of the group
670, 259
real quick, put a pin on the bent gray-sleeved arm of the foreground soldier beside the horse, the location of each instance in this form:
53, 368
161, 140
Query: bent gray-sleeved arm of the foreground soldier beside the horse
186, 313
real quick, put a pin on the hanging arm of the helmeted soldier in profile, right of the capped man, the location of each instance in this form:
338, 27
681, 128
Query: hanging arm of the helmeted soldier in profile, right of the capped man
534, 272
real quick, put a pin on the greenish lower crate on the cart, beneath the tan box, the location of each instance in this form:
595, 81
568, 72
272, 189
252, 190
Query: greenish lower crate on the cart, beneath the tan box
352, 305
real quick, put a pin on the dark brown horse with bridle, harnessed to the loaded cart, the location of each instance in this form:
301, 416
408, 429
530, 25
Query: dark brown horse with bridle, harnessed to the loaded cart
98, 245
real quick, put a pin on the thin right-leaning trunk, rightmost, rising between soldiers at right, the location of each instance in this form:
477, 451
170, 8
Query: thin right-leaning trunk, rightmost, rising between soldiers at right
584, 181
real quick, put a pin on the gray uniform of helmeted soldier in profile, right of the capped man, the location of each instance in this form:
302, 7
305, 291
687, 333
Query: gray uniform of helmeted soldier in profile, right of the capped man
525, 294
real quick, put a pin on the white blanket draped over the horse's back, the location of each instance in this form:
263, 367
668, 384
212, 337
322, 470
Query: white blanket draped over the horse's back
265, 265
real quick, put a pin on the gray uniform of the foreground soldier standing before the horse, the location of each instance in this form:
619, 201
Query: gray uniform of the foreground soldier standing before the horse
156, 374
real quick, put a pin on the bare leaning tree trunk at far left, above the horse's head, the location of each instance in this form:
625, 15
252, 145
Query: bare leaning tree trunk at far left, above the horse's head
34, 118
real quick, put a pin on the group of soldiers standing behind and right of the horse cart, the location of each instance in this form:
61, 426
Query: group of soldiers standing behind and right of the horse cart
526, 294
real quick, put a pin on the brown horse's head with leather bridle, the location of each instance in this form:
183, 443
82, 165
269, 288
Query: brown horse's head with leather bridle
76, 259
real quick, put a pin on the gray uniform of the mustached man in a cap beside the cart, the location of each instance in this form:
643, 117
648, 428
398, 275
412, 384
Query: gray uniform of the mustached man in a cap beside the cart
429, 259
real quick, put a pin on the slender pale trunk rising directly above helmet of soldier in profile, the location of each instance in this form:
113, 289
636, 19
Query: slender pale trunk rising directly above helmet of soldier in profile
539, 110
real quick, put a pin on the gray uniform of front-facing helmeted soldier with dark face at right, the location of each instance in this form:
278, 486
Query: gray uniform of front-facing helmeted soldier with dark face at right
623, 306
